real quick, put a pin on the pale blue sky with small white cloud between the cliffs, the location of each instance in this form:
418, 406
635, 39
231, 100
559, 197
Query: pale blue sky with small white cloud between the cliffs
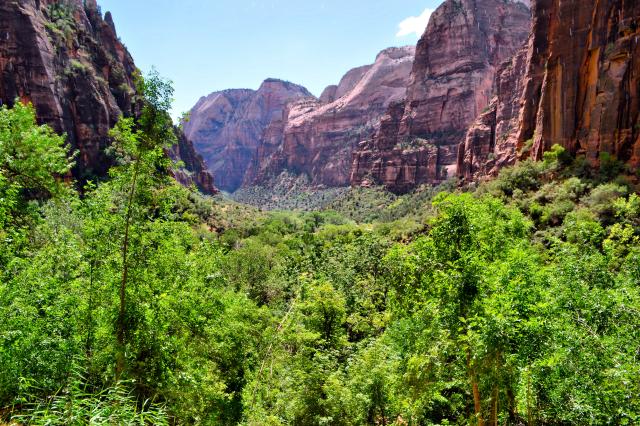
209, 45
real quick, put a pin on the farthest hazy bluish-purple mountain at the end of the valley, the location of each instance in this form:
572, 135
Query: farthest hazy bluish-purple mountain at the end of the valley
226, 127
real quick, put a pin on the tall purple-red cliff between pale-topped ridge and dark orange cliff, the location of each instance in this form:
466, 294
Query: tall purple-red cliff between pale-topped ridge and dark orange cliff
451, 82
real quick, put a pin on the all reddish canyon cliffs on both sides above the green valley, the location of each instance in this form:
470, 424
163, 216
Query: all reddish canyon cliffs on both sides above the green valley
489, 83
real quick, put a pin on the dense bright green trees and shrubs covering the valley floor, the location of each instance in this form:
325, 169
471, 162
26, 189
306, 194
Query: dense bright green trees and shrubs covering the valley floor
141, 302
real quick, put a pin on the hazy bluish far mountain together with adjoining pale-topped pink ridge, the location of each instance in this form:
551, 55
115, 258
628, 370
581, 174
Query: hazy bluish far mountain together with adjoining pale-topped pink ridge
251, 137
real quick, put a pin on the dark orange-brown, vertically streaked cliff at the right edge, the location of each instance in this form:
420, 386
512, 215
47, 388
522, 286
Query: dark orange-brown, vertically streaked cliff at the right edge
585, 78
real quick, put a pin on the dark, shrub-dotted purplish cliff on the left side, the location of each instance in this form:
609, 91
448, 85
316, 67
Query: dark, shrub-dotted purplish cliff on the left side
63, 57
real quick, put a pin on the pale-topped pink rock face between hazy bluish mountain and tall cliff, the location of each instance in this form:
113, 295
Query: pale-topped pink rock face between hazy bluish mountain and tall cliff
317, 137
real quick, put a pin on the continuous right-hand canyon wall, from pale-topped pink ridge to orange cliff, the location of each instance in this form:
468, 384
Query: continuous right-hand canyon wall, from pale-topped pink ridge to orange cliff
490, 82
